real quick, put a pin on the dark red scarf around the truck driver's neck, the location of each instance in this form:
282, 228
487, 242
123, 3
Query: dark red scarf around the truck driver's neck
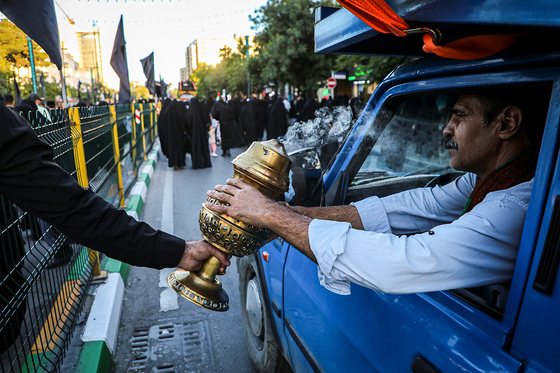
517, 170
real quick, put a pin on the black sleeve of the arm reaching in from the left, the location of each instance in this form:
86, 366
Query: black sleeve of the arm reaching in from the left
32, 180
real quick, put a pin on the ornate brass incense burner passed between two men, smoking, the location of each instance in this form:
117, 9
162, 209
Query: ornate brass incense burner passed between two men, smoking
265, 166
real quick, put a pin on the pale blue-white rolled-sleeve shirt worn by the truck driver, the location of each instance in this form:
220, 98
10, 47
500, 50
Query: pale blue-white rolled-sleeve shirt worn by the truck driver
476, 249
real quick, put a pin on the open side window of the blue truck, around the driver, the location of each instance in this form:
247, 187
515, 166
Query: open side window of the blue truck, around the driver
407, 152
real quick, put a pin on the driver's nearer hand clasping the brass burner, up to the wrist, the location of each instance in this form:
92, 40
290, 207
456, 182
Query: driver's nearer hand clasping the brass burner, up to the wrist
244, 203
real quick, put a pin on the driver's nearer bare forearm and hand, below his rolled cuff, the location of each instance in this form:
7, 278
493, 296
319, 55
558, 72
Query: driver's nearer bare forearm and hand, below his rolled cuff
247, 204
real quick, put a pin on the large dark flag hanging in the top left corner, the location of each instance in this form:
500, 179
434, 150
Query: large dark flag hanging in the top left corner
38, 20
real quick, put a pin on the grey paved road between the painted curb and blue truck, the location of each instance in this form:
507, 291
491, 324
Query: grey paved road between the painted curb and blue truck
161, 332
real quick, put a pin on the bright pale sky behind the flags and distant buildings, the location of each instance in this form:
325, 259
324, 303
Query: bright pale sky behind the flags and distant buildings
165, 27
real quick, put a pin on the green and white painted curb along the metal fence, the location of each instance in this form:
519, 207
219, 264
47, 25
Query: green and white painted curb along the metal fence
101, 329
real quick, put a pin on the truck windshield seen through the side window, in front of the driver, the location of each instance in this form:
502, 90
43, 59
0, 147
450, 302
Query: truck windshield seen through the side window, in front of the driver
408, 152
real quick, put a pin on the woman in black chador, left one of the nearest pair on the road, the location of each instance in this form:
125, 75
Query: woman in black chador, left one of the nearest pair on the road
178, 137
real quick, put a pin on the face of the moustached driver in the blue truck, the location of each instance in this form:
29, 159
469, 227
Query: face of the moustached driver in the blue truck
473, 146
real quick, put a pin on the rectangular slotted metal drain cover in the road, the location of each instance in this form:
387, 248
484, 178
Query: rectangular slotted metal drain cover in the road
171, 346
